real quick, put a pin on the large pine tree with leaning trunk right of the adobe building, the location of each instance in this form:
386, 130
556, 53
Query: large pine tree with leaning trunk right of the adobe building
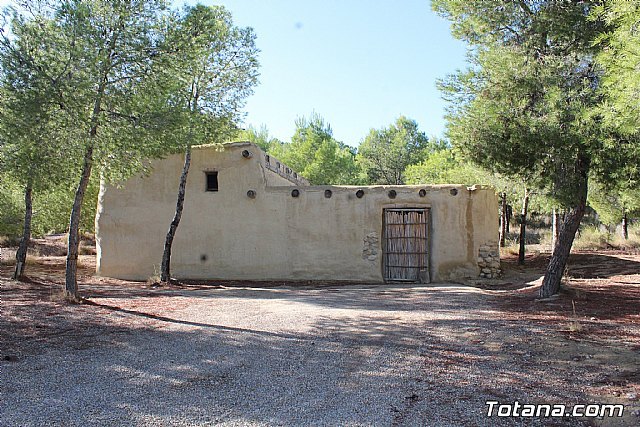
529, 107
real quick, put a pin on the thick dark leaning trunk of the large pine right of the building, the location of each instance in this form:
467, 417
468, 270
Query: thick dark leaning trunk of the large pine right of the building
572, 218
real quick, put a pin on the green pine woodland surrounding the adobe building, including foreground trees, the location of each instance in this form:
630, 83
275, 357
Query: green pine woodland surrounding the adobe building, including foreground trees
546, 113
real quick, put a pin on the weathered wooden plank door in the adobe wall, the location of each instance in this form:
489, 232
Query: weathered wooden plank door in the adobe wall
406, 245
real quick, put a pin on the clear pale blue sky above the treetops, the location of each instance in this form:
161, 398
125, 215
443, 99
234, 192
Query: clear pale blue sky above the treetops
357, 63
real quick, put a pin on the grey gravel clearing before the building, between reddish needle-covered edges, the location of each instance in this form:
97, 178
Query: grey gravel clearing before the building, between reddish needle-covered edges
354, 355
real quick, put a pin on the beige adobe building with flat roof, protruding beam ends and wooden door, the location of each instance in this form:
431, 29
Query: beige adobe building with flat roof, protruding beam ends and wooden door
249, 217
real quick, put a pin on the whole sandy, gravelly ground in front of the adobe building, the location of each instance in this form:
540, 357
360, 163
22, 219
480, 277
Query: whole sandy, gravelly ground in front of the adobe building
361, 354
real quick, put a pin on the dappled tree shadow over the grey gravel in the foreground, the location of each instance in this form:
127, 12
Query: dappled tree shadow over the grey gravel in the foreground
371, 370
